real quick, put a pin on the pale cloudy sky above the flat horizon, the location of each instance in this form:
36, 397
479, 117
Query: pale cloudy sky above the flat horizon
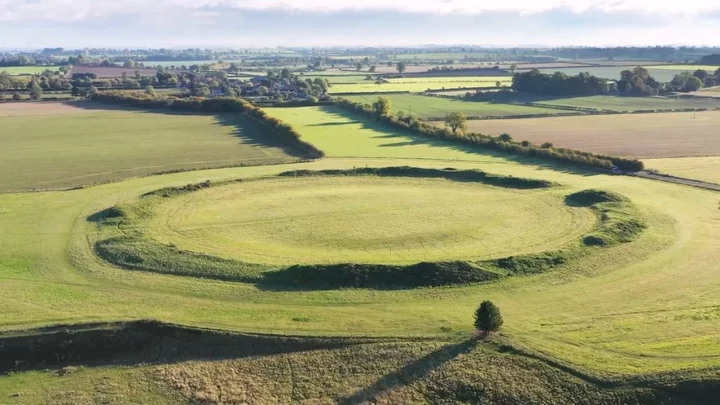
29, 24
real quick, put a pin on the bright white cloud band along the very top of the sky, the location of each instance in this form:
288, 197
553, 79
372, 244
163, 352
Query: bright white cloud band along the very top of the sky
58, 10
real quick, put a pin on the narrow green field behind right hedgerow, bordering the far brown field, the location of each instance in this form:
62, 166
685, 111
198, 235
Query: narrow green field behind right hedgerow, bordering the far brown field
438, 107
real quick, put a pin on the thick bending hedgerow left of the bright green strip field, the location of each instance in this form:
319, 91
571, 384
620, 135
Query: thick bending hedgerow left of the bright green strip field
276, 127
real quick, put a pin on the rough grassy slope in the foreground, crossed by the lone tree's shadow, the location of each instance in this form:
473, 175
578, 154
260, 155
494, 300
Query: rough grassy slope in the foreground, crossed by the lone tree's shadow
392, 372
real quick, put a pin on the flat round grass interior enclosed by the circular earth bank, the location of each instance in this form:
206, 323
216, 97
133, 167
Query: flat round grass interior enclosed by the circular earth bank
367, 220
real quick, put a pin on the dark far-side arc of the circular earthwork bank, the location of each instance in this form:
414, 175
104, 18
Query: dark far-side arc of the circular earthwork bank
450, 174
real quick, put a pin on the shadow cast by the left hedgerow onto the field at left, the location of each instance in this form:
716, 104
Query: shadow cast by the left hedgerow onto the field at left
248, 132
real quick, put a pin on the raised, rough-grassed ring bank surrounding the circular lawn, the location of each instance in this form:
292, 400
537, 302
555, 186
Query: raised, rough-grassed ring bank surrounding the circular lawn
136, 251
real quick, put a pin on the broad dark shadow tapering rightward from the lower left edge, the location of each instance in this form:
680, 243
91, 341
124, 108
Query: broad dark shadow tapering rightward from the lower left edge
143, 342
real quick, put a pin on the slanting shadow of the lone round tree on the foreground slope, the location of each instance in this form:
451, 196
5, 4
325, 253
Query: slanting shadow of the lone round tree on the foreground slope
412, 372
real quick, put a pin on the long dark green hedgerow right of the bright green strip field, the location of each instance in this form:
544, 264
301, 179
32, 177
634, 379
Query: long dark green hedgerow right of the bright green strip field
560, 155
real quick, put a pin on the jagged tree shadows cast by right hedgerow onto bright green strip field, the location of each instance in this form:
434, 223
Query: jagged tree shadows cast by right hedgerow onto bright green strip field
399, 138
